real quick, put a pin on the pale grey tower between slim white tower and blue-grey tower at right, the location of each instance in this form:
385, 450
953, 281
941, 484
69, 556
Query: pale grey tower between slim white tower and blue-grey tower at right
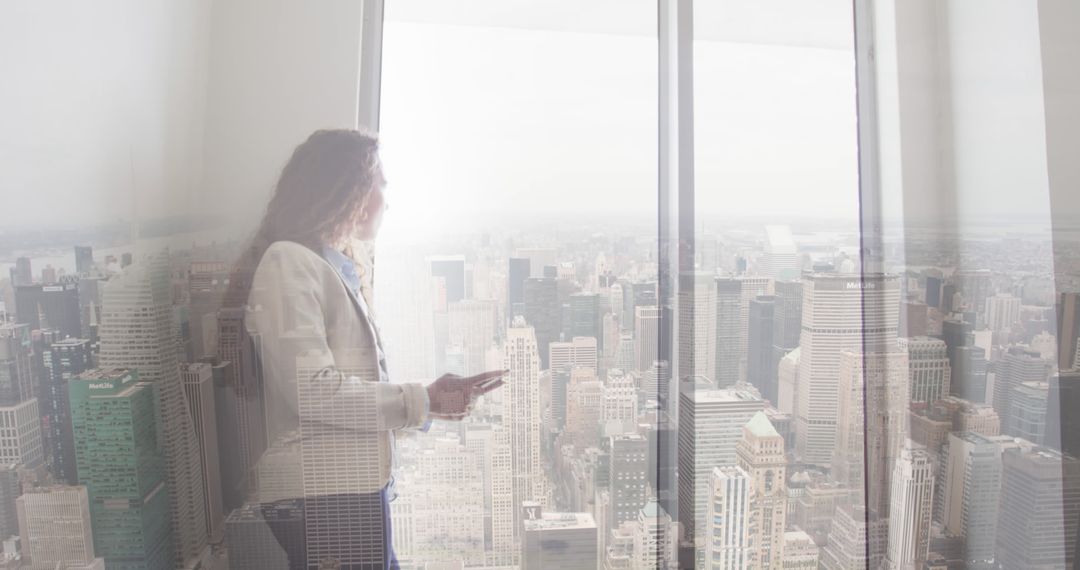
968, 499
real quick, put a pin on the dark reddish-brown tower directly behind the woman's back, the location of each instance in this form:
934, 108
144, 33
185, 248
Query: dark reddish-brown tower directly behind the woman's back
240, 405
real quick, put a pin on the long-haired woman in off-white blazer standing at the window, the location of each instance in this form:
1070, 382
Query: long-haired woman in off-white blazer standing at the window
332, 413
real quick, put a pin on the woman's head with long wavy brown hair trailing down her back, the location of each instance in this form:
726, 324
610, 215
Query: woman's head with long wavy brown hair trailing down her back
317, 201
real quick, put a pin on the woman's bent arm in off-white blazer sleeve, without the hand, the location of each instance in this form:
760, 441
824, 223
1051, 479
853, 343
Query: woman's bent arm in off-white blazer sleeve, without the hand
287, 309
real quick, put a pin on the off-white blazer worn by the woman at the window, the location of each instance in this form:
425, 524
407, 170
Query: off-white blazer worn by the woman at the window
330, 420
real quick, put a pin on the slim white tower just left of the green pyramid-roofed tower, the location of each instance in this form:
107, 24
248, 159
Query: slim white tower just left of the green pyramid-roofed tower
728, 520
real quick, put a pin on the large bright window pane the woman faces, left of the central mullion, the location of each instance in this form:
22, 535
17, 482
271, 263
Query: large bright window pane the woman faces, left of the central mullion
521, 152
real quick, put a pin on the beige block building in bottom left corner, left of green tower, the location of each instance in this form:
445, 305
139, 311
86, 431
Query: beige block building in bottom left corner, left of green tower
55, 527
